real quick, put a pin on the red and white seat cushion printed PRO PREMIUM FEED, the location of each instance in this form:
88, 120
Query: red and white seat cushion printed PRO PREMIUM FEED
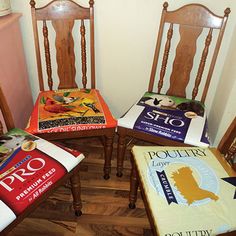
29, 166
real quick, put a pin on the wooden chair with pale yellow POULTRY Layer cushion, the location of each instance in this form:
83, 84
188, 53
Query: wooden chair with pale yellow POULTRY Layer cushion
203, 198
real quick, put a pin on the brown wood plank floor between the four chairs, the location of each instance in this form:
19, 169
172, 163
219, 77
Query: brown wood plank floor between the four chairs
105, 202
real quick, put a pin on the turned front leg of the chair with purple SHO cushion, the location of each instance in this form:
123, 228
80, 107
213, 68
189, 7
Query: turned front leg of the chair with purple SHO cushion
120, 155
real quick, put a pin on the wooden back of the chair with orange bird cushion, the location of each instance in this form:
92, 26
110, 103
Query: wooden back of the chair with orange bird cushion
63, 14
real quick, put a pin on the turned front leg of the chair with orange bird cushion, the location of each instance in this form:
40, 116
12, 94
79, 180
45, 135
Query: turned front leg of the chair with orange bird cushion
108, 153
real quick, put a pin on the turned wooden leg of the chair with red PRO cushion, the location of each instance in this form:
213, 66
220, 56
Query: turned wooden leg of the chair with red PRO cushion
76, 193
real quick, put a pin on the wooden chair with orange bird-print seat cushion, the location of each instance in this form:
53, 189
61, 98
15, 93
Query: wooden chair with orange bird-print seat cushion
69, 112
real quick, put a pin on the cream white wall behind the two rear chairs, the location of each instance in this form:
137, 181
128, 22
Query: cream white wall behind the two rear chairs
125, 40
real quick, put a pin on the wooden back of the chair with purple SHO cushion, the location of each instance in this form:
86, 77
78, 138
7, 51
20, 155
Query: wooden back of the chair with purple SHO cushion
192, 20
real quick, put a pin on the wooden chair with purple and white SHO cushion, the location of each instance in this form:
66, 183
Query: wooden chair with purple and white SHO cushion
164, 115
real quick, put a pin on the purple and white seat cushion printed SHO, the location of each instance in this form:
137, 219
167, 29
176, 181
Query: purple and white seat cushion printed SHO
175, 118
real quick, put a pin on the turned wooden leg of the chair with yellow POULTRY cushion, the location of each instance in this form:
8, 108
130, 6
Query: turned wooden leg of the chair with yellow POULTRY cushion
133, 186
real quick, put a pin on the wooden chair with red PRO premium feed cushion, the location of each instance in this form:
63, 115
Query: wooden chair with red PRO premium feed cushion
30, 170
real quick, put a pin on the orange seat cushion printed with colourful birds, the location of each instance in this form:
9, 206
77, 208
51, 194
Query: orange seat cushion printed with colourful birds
70, 110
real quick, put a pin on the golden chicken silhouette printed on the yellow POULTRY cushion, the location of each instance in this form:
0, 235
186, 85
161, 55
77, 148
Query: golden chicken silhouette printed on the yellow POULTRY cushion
188, 186
